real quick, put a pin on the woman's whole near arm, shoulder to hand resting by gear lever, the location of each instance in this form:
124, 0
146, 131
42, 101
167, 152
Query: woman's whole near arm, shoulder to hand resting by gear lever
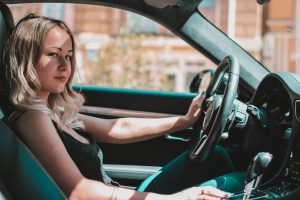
41, 137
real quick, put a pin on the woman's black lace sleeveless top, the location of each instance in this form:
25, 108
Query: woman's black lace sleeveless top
87, 157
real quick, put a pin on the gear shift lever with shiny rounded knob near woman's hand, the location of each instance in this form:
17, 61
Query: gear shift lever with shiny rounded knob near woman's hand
255, 172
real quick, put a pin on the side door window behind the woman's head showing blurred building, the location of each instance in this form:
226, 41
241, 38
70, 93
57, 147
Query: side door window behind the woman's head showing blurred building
117, 48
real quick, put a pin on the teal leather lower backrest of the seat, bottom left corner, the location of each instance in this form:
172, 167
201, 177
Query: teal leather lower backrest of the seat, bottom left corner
22, 176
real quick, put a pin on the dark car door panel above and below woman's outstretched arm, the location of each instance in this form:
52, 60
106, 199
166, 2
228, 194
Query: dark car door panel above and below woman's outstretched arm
117, 102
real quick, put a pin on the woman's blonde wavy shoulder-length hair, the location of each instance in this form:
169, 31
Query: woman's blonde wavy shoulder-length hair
21, 54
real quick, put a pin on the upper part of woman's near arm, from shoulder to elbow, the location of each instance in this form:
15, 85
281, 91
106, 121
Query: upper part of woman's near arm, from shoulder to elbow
40, 136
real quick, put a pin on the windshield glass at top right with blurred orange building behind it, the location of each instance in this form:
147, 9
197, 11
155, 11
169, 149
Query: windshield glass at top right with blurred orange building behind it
269, 32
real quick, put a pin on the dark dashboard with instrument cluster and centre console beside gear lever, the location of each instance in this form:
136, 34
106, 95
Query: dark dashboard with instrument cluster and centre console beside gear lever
278, 101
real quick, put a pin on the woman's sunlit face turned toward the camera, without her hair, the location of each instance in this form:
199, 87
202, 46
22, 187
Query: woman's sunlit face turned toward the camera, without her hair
54, 66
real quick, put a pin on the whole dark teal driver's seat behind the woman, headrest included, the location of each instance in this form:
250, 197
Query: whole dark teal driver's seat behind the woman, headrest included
22, 176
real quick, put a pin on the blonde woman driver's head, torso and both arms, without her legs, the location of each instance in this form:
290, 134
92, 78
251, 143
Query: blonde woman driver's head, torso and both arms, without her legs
40, 65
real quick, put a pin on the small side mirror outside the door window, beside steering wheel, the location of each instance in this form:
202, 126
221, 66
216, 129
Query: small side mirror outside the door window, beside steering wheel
201, 80
